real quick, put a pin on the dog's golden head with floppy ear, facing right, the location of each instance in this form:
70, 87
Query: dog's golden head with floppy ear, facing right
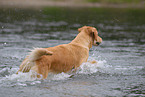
92, 32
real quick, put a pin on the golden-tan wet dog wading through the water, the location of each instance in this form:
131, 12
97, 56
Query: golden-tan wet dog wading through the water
62, 58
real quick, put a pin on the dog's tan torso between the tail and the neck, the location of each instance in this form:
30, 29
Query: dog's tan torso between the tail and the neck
65, 57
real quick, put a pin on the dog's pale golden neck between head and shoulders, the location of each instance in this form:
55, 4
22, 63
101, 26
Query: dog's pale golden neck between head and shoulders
83, 39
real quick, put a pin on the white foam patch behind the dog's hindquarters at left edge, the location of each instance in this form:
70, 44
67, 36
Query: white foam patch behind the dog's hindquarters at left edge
20, 79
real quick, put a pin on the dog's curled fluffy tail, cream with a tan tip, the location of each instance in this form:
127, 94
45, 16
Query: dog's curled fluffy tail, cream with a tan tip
38, 52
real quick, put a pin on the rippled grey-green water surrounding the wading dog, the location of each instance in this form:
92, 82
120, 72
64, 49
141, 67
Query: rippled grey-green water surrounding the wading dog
121, 57
